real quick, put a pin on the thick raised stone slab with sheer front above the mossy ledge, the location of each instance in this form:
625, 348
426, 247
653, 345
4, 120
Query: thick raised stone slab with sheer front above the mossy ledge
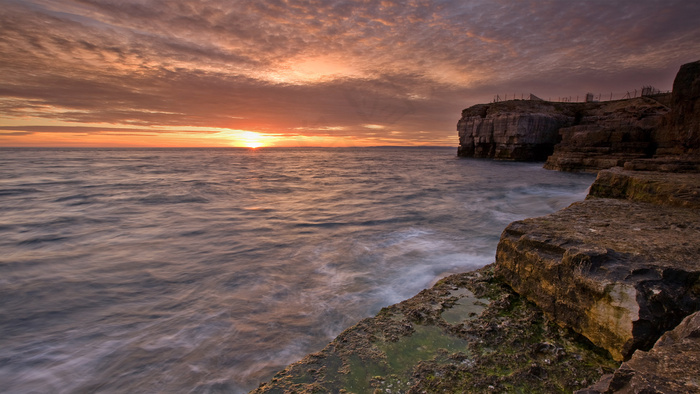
619, 272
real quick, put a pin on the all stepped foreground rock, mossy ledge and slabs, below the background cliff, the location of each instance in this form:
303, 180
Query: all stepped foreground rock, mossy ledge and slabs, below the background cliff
571, 295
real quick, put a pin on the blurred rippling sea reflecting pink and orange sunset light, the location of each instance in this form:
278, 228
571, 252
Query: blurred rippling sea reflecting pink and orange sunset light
207, 270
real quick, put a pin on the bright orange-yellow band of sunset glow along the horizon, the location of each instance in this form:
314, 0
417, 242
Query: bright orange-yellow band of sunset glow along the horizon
37, 132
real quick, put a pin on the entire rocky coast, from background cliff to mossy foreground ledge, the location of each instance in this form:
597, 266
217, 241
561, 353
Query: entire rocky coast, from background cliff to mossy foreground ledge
600, 297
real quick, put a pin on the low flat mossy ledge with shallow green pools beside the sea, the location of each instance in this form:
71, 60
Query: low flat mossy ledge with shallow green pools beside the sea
469, 333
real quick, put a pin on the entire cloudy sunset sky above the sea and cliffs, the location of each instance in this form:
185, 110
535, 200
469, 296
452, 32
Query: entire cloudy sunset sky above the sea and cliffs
250, 73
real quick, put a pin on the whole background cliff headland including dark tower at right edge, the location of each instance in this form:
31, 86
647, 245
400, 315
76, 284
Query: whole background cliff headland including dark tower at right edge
588, 136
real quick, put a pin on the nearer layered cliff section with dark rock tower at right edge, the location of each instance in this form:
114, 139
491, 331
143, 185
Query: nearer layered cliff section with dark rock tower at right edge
664, 128
